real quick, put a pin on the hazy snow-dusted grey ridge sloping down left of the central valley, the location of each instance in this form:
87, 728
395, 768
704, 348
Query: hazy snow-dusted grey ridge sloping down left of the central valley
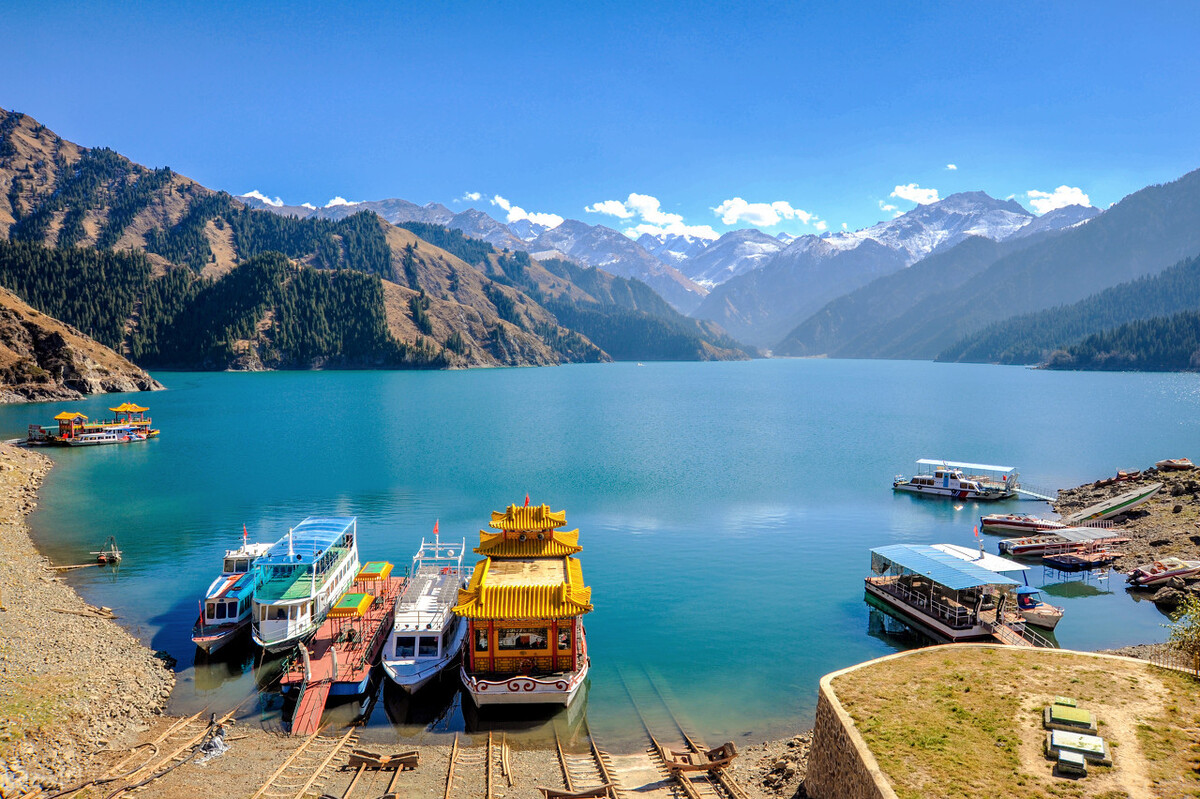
595, 245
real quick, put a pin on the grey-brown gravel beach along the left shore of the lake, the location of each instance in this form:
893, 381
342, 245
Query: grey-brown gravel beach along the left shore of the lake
71, 681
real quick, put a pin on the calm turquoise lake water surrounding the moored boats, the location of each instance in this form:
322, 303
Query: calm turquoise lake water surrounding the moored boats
727, 510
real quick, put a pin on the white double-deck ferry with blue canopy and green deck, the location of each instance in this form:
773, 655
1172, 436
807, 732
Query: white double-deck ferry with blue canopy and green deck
301, 578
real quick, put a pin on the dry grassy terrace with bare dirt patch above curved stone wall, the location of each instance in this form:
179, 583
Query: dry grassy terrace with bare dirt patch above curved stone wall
967, 723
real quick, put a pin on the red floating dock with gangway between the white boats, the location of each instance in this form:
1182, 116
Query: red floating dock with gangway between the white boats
338, 660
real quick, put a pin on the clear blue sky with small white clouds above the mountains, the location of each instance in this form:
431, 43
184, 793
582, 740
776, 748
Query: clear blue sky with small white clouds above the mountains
808, 113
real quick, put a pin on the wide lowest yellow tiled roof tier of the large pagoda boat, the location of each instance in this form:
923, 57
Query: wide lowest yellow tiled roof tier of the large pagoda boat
500, 598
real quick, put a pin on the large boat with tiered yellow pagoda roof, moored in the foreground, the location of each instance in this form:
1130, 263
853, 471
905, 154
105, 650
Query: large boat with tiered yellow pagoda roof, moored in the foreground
525, 609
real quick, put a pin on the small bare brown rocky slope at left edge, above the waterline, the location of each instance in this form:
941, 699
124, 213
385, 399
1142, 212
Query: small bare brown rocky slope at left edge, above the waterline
45, 359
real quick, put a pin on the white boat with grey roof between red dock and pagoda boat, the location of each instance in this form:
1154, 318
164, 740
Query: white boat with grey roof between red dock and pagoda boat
428, 636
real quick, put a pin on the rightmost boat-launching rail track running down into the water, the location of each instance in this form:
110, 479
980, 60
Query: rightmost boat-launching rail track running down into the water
649, 701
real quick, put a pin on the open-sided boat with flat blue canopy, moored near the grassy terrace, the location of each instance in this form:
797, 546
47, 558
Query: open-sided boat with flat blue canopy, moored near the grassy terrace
943, 596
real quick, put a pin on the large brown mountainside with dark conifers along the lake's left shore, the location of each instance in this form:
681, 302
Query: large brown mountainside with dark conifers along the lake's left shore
441, 310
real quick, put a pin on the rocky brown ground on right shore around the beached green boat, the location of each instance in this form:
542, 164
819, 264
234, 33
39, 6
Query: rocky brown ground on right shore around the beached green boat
1167, 525
